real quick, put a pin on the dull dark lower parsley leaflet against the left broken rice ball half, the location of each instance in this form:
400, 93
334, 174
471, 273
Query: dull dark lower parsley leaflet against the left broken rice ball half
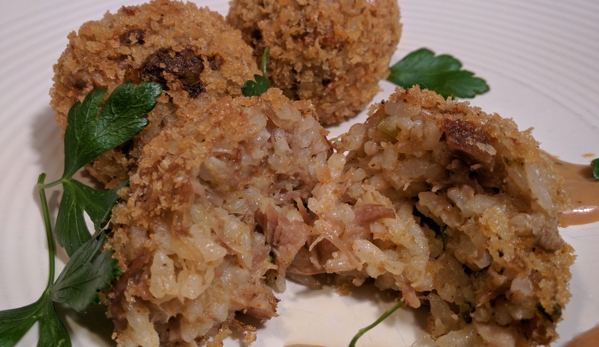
88, 271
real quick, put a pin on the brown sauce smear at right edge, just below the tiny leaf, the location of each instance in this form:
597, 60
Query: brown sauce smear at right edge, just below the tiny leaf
583, 190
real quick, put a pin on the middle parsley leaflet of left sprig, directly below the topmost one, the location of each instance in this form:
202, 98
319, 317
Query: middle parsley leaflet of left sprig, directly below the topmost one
71, 230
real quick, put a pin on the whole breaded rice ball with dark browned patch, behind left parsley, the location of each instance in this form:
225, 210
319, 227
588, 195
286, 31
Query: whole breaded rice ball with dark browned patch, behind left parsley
192, 51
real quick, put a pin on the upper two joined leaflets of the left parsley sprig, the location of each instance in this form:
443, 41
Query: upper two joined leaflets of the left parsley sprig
87, 136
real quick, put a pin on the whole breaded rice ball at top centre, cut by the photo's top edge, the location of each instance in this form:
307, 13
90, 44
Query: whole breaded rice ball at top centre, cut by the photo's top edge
332, 53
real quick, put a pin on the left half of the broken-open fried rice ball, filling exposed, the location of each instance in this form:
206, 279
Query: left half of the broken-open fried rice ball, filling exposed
187, 232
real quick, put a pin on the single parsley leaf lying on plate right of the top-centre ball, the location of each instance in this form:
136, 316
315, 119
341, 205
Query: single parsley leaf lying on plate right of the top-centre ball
441, 74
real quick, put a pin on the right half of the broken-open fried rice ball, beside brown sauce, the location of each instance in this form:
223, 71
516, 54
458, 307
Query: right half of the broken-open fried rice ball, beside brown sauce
453, 207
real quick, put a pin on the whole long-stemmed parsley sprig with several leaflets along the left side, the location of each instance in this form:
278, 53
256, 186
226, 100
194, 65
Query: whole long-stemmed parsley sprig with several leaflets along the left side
89, 269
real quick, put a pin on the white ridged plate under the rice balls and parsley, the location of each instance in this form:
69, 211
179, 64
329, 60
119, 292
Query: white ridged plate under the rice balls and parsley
539, 57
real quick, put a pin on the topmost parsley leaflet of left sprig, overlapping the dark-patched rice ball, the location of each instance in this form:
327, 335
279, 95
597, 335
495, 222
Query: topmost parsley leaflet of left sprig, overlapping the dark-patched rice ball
88, 134
